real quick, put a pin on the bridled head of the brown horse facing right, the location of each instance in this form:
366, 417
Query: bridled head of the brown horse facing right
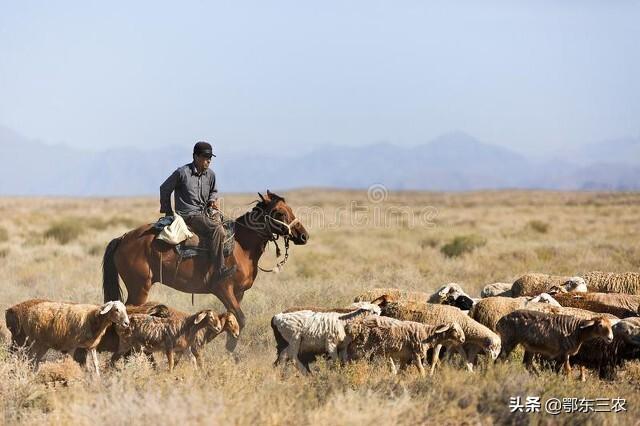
280, 218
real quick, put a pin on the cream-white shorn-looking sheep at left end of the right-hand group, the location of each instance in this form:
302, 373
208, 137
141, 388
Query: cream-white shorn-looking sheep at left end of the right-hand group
312, 333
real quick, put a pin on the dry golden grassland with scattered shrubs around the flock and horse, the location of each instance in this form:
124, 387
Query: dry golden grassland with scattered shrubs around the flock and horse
354, 245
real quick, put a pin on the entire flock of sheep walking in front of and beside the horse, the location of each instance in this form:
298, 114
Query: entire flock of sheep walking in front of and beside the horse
591, 321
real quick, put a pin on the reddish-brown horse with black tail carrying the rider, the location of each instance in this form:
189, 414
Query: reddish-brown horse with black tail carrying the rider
141, 260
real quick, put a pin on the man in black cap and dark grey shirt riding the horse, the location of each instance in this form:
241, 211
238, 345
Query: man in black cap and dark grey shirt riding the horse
196, 196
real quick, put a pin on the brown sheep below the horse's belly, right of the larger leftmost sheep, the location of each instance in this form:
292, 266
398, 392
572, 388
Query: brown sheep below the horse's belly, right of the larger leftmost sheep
173, 335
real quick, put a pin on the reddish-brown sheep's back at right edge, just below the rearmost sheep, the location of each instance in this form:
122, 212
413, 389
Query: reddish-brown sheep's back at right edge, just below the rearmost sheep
620, 305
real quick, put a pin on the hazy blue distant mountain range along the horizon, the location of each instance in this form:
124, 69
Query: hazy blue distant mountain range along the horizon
451, 162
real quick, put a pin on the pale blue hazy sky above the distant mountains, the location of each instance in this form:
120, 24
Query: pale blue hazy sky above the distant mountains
252, 74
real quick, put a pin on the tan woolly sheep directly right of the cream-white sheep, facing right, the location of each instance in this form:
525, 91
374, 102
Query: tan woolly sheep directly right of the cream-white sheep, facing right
402, 341
